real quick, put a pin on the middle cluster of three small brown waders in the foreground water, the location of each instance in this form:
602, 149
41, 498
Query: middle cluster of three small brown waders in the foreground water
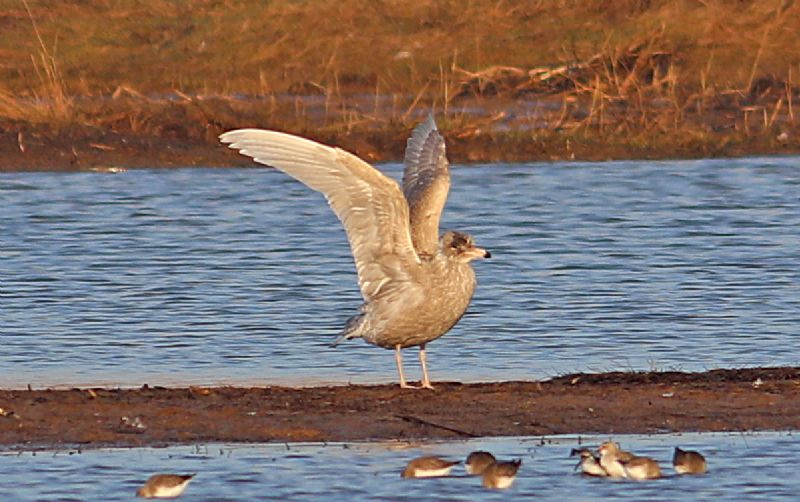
496, 475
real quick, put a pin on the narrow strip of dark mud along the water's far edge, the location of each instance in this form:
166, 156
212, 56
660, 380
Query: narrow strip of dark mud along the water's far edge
118, 153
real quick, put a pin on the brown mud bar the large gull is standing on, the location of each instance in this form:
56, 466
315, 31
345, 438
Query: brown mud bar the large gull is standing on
610, 403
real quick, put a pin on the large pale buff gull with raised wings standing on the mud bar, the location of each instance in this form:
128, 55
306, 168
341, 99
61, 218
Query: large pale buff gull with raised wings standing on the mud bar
416, 285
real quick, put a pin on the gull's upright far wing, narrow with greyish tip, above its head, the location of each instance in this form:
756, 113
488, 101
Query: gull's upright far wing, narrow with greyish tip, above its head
426, 181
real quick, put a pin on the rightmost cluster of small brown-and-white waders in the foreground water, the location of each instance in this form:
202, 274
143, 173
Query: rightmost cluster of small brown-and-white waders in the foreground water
611, 461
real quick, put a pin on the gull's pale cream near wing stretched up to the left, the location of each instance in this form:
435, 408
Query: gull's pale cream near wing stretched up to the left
370, 205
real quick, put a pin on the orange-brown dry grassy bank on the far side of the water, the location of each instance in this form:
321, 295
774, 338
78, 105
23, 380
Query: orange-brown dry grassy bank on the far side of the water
510, 80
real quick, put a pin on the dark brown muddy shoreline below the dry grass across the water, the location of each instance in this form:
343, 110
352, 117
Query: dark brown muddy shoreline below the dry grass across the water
81, 149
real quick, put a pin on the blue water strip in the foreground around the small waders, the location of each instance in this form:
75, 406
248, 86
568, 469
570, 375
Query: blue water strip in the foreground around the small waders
741, 467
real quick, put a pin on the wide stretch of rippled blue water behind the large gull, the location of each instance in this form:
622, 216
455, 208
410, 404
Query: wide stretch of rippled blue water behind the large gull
244, 275
